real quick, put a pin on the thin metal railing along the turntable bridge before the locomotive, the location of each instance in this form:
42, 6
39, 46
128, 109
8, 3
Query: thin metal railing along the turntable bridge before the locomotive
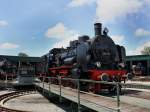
60, 79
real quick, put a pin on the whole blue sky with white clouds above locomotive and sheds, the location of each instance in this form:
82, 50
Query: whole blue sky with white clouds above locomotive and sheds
36, 26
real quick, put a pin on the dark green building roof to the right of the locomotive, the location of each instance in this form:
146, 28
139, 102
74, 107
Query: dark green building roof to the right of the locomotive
137, 57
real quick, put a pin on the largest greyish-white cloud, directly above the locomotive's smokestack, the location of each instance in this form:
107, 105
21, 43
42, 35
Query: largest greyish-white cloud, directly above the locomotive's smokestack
110, 10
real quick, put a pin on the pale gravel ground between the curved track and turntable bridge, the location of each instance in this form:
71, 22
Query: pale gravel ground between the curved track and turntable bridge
34, 103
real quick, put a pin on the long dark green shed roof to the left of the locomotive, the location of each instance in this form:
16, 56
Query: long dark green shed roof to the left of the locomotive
22, 59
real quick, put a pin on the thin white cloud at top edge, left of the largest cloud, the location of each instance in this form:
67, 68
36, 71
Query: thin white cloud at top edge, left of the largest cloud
76, 3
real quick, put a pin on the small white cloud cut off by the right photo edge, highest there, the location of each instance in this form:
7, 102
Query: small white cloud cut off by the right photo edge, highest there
142, 32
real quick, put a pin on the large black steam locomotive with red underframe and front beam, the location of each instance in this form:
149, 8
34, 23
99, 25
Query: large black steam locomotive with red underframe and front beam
98, 58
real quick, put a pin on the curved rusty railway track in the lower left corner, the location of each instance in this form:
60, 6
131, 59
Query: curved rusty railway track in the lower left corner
4, 98
